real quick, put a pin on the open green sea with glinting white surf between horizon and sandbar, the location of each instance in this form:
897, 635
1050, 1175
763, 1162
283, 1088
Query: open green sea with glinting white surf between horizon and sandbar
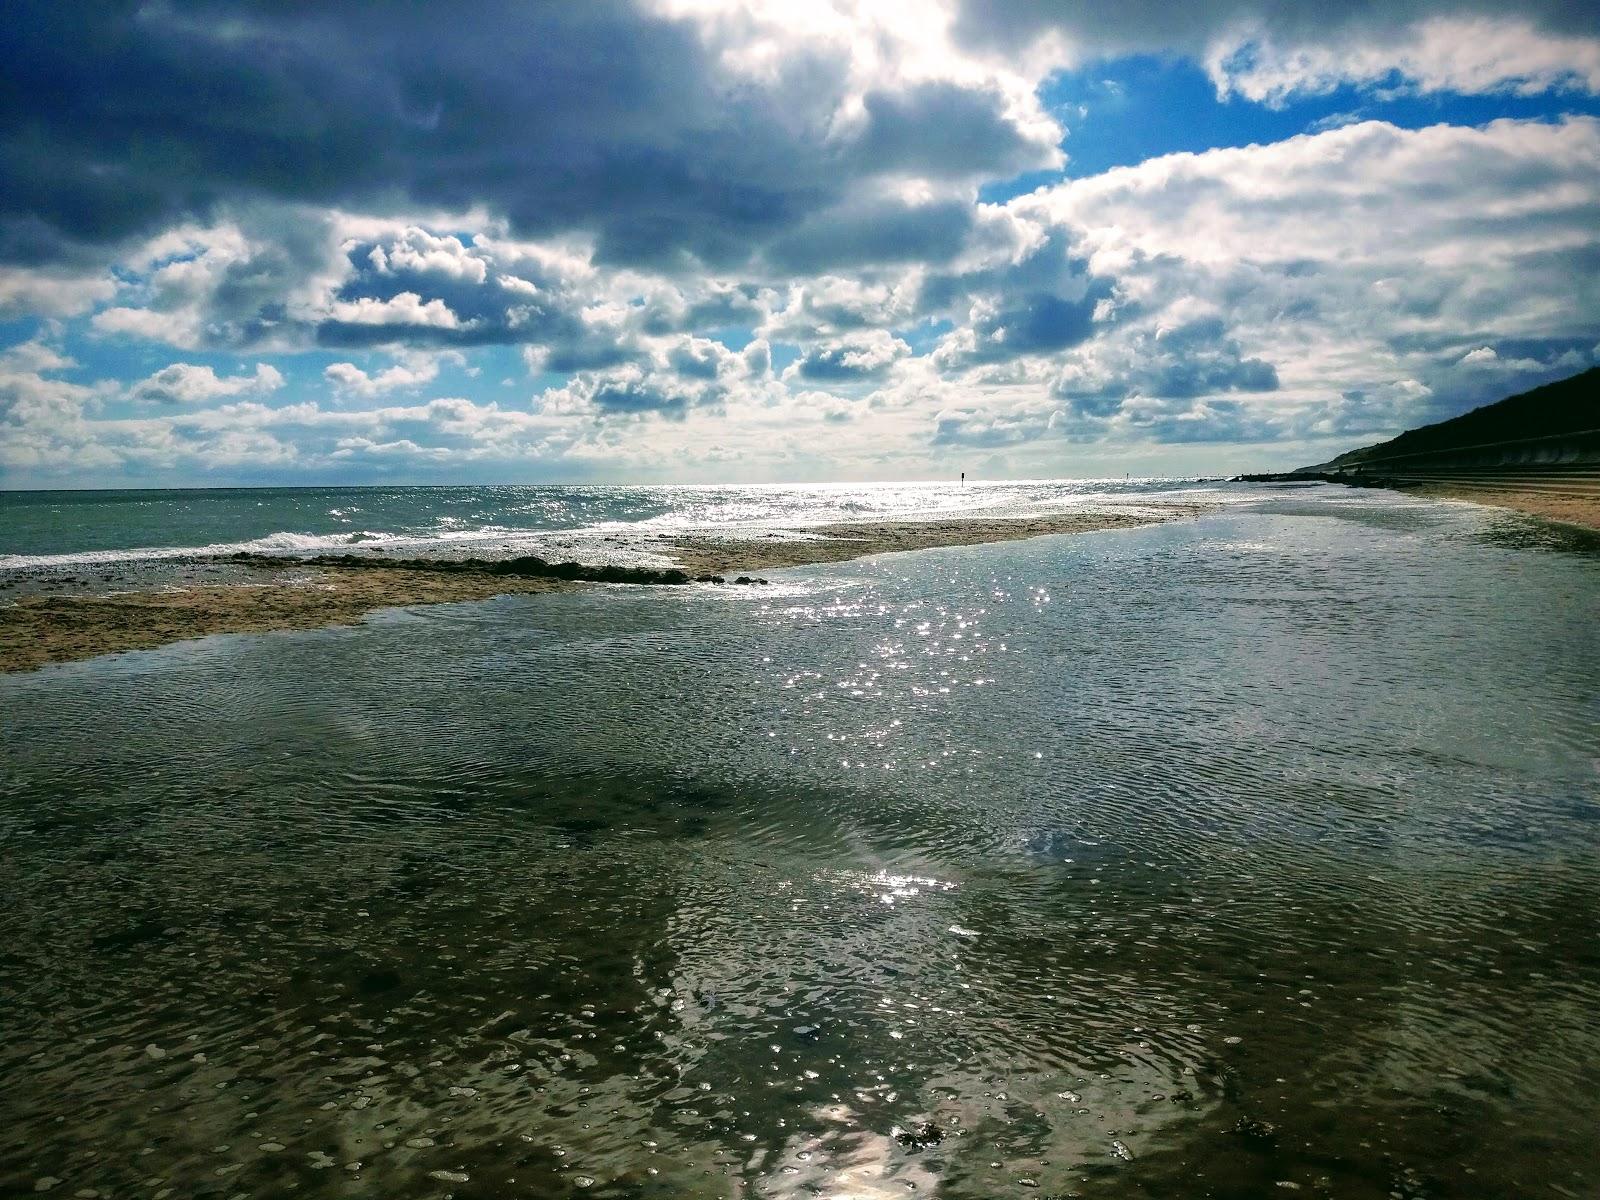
92, 529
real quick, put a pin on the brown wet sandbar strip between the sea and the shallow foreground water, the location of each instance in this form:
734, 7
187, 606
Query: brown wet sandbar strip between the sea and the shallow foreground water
306, 594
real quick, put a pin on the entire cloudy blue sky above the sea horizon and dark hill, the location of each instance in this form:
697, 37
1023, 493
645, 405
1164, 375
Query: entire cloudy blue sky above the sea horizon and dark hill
694, 241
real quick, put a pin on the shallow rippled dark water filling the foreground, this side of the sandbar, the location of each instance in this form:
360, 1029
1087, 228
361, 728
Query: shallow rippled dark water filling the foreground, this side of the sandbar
1241, 857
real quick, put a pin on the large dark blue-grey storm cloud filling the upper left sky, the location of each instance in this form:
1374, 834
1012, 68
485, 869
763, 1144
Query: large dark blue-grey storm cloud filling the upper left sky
121, 119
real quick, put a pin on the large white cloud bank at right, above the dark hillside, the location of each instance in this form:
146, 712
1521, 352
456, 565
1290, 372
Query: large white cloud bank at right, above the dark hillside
1322, 287
